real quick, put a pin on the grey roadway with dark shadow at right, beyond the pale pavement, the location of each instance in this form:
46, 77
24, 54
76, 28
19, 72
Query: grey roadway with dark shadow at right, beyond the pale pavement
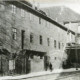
57, 76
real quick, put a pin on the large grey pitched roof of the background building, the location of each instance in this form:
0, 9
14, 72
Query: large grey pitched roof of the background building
62, 14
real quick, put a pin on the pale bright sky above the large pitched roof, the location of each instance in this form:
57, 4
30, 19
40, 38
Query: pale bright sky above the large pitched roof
72, 4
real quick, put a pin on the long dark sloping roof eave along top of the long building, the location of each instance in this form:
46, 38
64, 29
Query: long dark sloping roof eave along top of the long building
26, 7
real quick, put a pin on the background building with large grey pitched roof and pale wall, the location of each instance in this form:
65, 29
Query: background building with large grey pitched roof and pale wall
64, 16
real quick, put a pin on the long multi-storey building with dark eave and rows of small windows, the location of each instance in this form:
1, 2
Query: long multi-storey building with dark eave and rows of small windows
31, 38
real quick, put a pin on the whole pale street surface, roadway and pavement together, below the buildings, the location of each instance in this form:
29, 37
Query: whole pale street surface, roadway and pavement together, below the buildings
67, 74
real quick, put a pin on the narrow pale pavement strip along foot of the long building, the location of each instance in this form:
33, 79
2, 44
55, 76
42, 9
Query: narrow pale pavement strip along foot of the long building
35, 74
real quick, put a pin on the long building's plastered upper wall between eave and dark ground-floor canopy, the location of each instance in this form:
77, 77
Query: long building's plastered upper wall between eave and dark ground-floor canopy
29, 23
